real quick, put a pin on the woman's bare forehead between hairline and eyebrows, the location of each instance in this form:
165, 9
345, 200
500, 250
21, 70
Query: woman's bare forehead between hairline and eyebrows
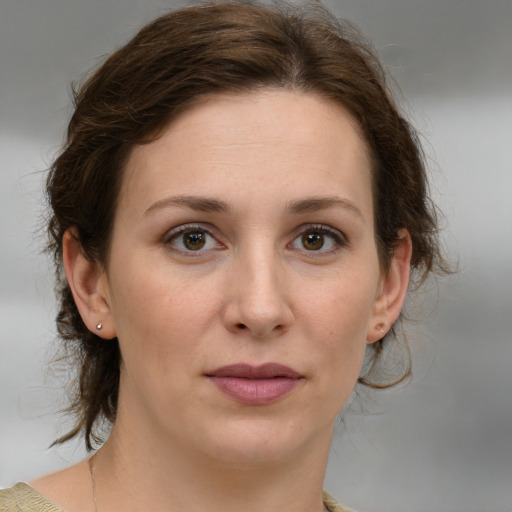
272, 141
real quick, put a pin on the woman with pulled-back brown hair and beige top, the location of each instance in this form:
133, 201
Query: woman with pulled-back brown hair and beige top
237, 211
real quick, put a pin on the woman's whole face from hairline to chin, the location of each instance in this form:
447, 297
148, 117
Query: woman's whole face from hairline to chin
243, 280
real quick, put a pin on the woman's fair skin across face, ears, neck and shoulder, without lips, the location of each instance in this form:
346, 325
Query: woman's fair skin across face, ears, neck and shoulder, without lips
246, 172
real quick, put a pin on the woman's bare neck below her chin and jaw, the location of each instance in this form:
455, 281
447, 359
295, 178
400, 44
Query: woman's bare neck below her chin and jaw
161, 476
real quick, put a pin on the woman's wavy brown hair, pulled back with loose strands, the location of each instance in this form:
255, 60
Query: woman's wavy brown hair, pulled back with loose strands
177, 59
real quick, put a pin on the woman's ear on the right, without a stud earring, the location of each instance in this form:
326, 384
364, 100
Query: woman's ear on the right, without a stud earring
392, 290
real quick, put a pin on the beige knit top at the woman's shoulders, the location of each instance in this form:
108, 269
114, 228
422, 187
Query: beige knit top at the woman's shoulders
22, 498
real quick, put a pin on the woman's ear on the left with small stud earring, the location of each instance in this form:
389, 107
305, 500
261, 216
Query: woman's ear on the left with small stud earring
88, 283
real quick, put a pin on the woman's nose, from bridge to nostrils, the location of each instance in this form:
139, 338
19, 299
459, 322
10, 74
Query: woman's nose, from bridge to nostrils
258, 301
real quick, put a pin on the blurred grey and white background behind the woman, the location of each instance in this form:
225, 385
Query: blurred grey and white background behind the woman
442, 443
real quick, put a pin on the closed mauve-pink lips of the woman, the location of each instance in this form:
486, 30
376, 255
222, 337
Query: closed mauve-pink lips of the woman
255, 385
